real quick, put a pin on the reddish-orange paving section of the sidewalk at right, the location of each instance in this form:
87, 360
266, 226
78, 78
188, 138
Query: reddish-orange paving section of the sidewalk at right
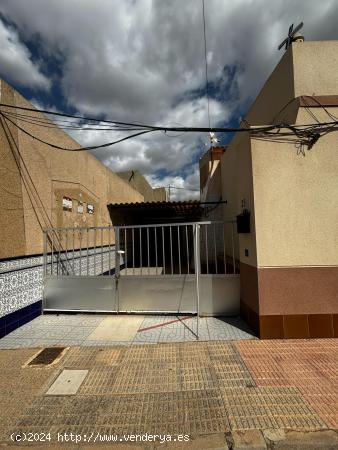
309, 365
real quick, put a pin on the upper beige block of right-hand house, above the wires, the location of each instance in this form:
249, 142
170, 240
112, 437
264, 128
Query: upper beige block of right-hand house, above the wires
306, 68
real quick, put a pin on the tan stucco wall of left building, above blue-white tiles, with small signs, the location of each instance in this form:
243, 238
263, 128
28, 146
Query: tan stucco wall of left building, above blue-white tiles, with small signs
50, 175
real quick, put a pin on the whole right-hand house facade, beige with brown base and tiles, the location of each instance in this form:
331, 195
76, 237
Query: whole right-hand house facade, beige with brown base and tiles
289, 259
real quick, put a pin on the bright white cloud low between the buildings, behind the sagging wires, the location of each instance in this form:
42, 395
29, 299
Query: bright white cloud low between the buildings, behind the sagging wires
157, 151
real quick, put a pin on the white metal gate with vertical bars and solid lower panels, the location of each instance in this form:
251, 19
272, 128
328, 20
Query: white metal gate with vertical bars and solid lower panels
166, 268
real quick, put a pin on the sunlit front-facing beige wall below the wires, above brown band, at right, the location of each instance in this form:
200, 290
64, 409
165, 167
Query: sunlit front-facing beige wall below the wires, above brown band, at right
296, 201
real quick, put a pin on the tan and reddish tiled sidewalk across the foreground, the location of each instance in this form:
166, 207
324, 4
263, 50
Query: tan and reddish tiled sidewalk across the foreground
243, 394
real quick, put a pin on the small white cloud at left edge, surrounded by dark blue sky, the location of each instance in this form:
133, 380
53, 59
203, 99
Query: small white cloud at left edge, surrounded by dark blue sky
16, 63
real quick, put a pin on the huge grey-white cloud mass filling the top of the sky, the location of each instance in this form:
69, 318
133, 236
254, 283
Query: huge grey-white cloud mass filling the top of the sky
134, 58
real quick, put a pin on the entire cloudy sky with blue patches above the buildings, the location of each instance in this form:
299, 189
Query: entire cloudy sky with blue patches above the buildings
143, 61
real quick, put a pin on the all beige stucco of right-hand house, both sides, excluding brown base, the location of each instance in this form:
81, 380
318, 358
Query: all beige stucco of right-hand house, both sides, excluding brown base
294, 198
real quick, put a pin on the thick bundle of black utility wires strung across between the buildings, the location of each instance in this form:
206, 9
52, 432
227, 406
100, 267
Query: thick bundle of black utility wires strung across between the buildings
302, 136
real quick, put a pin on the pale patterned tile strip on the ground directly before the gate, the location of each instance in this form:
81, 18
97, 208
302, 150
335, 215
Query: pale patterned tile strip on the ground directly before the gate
108, 330
